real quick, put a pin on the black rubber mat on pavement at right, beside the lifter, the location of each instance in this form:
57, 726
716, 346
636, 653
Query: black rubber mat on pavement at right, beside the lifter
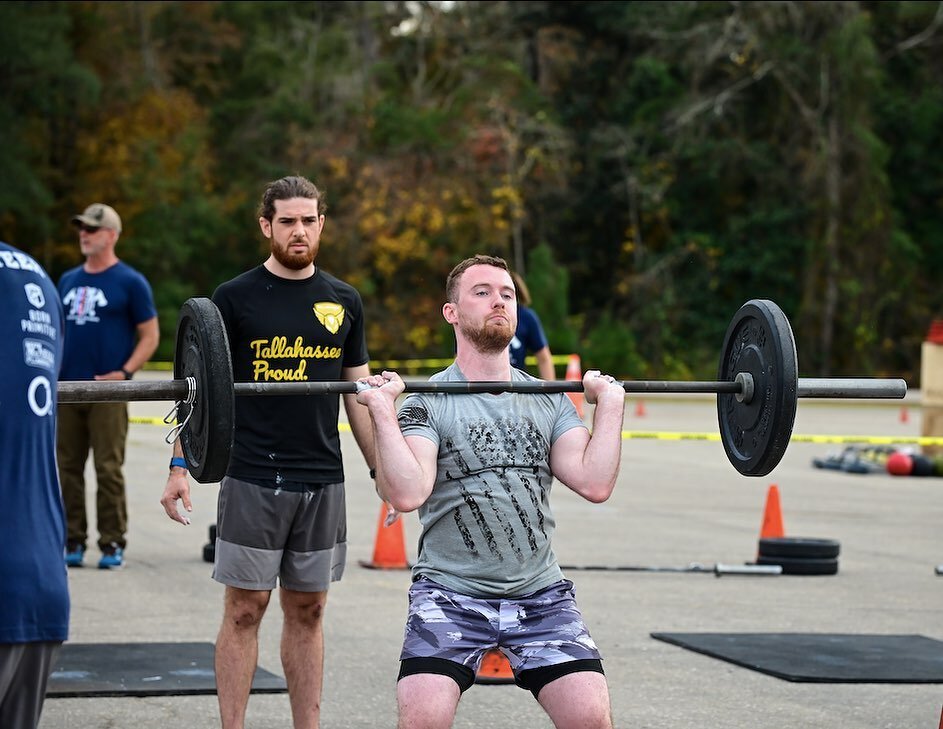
823, 657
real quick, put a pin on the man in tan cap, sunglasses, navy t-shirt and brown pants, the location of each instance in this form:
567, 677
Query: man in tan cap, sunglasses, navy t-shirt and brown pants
111, 331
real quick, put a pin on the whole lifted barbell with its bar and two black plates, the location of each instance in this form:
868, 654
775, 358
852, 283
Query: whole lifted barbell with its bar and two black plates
757, 388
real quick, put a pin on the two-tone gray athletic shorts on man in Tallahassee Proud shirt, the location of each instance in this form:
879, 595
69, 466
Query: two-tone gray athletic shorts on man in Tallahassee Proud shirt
264, 535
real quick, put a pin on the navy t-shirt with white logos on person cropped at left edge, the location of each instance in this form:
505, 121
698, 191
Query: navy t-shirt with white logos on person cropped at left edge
34, 590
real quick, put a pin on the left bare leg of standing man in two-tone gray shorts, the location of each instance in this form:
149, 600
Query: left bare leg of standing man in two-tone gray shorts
237, 652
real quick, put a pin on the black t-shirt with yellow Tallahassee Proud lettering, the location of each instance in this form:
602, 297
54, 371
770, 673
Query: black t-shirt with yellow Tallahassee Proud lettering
282, 330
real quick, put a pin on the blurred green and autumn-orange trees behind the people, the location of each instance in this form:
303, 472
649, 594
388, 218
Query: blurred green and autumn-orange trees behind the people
648, 166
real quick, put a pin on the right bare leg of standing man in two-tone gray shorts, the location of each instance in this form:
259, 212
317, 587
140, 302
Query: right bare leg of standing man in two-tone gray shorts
303, 654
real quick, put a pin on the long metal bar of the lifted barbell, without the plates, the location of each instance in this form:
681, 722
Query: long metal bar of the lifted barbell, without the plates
177, 390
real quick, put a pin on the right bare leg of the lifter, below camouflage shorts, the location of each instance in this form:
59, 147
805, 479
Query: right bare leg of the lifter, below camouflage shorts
578, 701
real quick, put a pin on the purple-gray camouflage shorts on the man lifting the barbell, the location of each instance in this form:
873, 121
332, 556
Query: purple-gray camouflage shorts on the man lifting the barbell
540, 630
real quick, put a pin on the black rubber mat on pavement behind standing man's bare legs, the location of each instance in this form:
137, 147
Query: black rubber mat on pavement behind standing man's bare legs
142, 669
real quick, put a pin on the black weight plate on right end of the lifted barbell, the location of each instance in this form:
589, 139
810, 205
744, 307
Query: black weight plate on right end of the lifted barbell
759, 341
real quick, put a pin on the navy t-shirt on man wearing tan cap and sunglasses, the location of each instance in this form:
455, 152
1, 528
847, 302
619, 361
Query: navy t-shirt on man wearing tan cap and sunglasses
102, 313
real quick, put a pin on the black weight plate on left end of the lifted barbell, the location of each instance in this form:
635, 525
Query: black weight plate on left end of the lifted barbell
202, 352
